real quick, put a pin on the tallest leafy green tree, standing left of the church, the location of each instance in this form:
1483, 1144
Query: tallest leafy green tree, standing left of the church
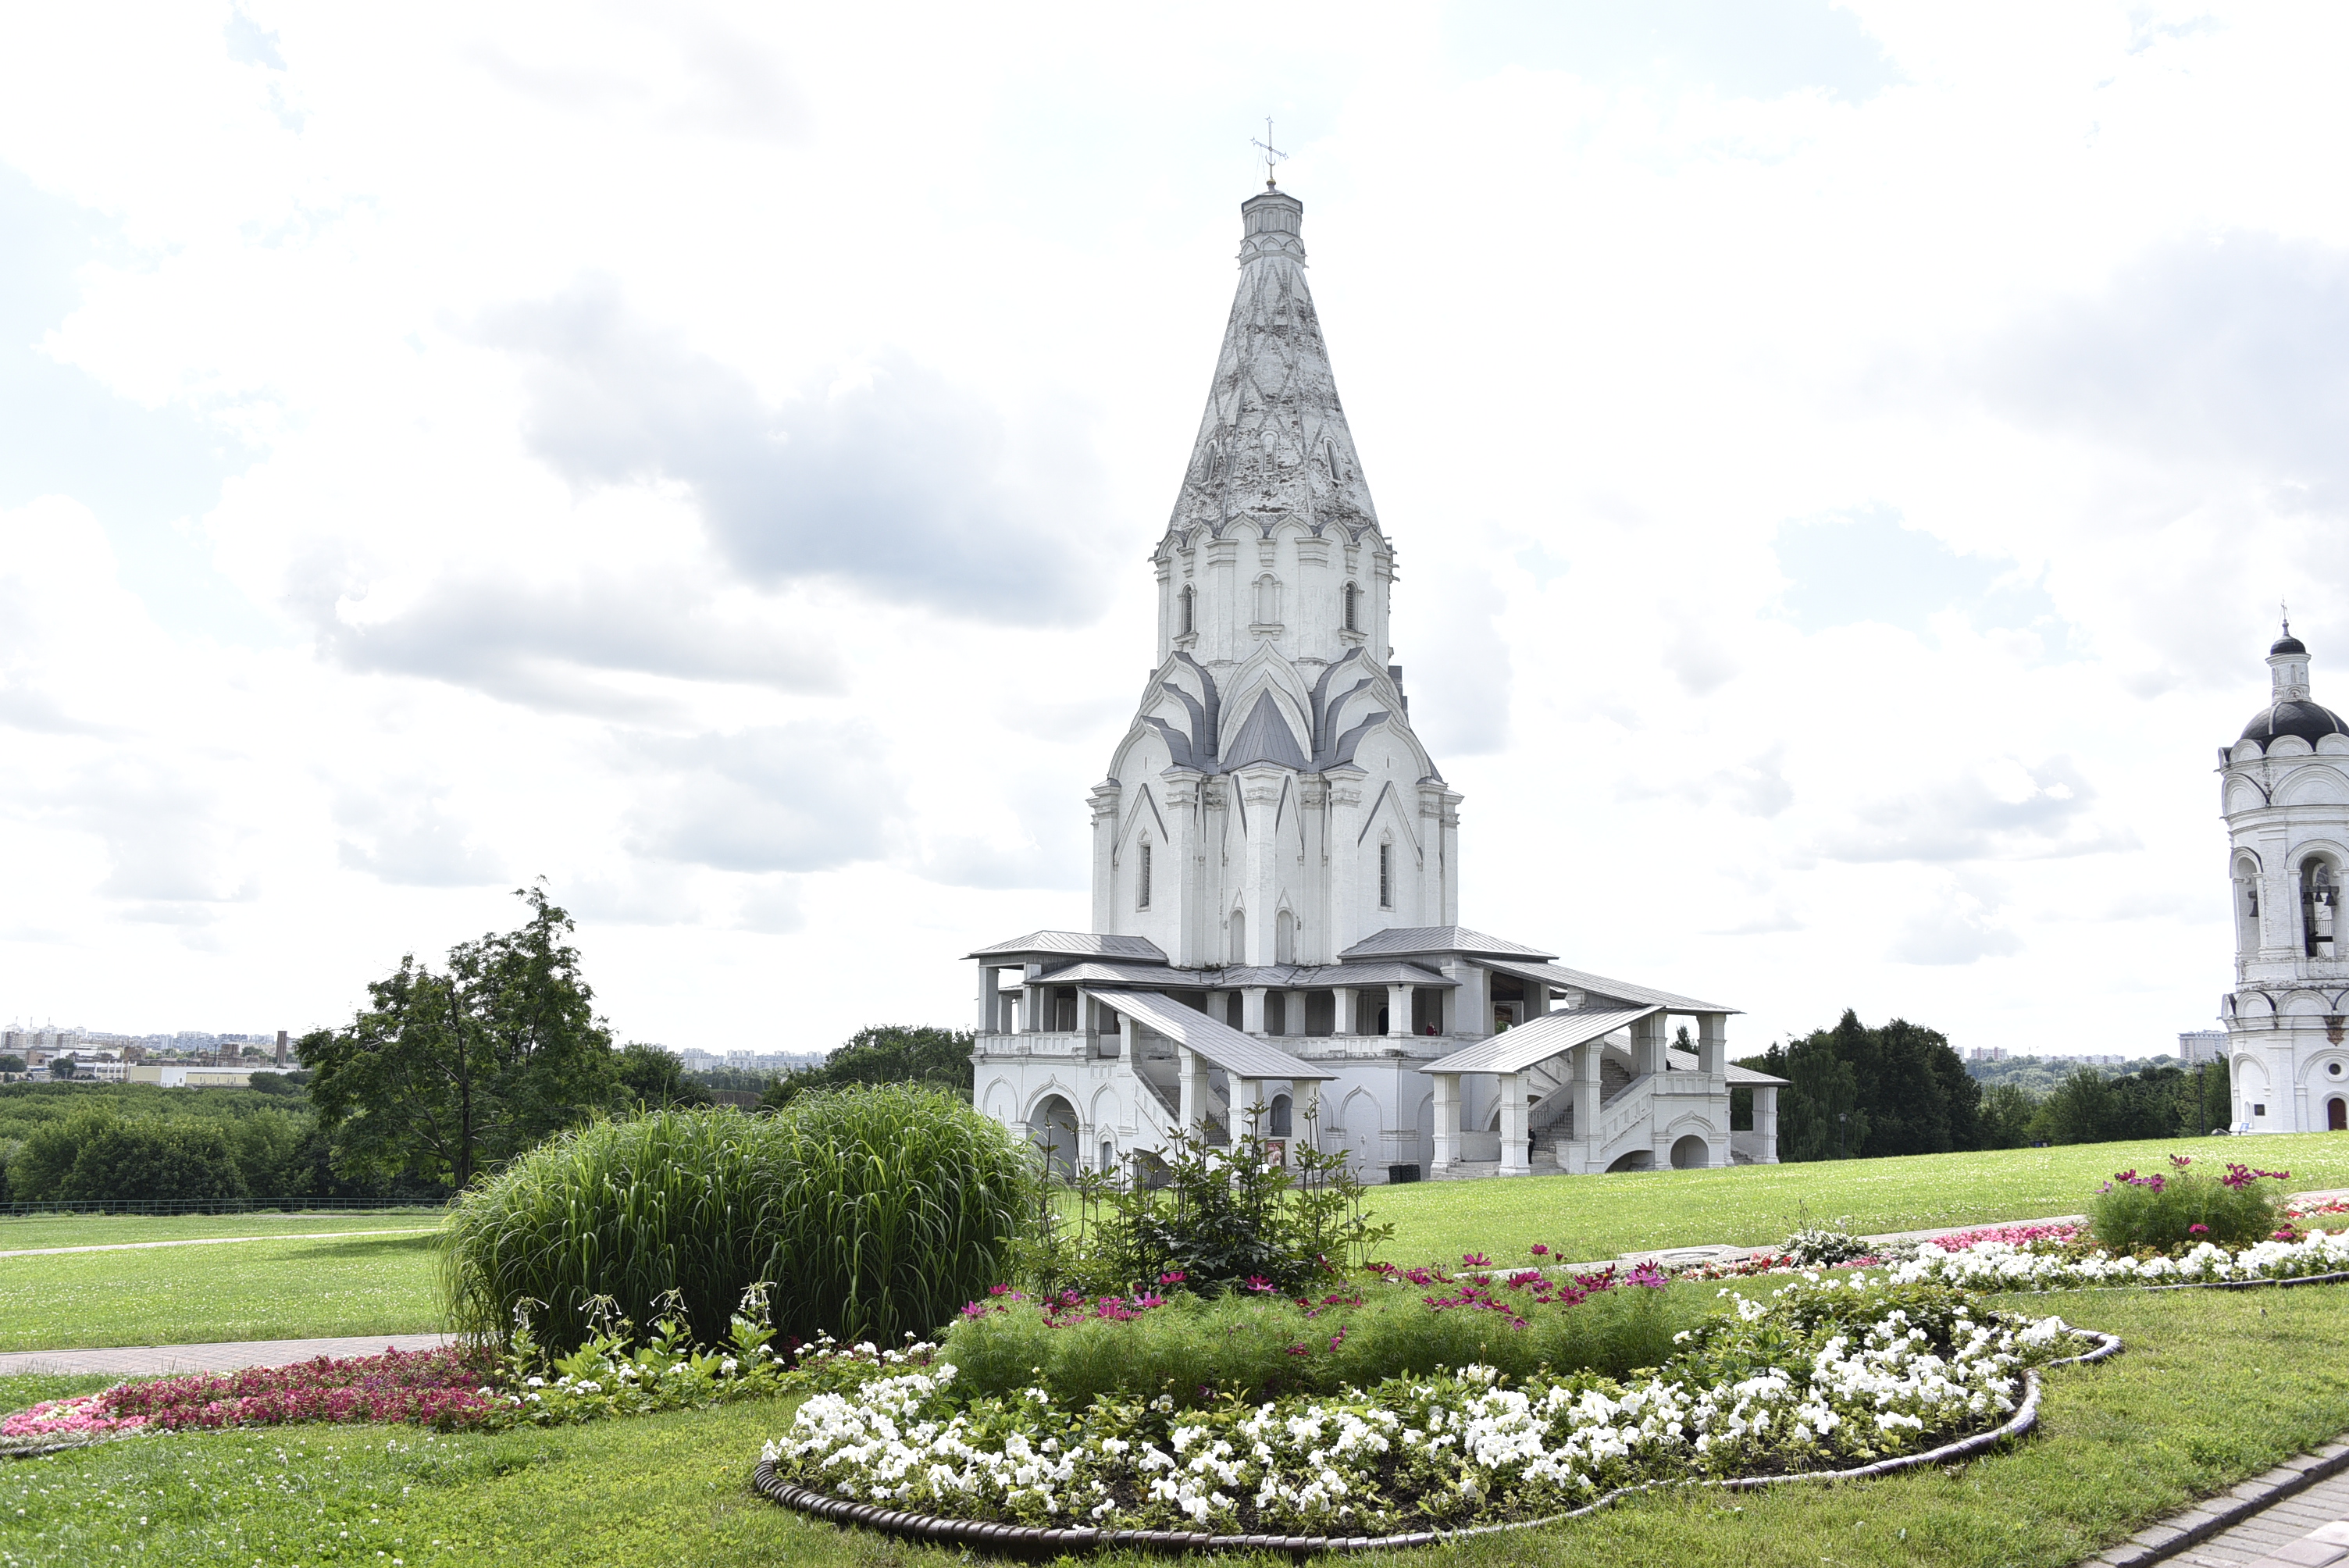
452, 1072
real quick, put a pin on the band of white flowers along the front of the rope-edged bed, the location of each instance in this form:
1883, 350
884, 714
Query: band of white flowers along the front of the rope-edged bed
1819, 1377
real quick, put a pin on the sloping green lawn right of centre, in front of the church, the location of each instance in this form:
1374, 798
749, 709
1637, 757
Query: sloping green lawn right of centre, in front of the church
1754, 1205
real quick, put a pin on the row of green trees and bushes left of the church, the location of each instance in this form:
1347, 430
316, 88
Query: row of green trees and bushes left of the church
443, 1076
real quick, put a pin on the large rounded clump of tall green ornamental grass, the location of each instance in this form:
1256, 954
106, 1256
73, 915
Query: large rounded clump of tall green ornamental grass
868, 1212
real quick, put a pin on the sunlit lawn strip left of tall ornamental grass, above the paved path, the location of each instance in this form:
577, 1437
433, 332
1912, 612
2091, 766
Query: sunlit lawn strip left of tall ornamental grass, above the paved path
274, 1290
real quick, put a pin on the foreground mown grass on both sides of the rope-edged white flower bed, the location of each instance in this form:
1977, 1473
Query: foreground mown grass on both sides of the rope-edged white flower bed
2216, 1386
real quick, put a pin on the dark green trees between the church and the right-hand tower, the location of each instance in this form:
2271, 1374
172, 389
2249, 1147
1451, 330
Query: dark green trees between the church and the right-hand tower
1862, 1093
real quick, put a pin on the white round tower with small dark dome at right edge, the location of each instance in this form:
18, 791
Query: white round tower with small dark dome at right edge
2284, 790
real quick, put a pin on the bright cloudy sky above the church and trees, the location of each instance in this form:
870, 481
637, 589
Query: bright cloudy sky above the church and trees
1845, 464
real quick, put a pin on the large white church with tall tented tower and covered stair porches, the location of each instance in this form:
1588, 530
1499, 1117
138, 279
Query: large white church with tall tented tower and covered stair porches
1277, 860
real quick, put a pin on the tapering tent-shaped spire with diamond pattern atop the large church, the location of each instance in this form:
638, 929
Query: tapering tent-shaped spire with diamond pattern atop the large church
1274, 440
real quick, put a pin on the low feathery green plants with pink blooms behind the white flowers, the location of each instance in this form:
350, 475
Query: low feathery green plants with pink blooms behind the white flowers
1263, 1346
